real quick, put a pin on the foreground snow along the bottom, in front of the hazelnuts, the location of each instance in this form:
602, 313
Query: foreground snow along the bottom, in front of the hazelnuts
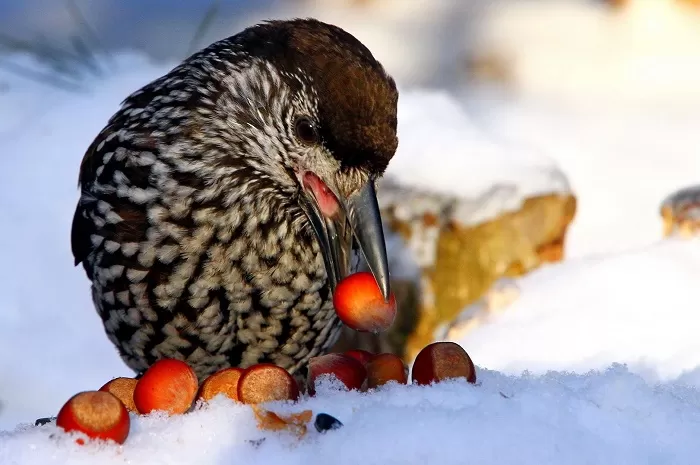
604, 417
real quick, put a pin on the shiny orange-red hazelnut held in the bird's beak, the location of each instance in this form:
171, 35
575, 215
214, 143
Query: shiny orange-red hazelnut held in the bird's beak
359, 304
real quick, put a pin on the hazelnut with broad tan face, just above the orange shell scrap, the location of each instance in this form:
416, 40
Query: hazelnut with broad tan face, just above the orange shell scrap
266, 382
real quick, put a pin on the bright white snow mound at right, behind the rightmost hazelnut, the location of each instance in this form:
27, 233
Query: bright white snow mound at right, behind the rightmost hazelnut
637, 308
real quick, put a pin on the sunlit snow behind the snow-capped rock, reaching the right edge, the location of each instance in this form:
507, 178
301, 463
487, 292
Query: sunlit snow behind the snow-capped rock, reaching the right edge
620, 162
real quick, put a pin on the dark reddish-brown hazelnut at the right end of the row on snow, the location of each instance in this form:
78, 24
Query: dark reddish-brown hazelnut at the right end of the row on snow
442, 360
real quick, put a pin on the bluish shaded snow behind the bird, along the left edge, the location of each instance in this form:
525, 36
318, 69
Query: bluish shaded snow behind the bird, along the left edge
48, 327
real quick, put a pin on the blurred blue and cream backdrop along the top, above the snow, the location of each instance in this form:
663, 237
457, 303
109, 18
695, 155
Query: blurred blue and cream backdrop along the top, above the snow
613, 49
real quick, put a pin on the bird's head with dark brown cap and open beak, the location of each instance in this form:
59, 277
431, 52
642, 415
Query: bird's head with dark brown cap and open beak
316, 114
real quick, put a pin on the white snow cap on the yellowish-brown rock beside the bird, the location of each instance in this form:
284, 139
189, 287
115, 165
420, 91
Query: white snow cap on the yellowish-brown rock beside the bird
443, 150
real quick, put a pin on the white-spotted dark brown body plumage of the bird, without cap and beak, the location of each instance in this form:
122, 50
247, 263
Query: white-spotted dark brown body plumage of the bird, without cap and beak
189, 224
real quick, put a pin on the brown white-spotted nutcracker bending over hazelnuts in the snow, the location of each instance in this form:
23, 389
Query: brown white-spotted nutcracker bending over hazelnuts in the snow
223, 202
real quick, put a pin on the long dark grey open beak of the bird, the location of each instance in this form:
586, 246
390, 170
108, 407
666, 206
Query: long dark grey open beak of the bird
359, 218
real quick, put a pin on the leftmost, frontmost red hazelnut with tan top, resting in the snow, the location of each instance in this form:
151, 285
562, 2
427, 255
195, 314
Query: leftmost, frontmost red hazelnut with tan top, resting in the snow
97, 414
